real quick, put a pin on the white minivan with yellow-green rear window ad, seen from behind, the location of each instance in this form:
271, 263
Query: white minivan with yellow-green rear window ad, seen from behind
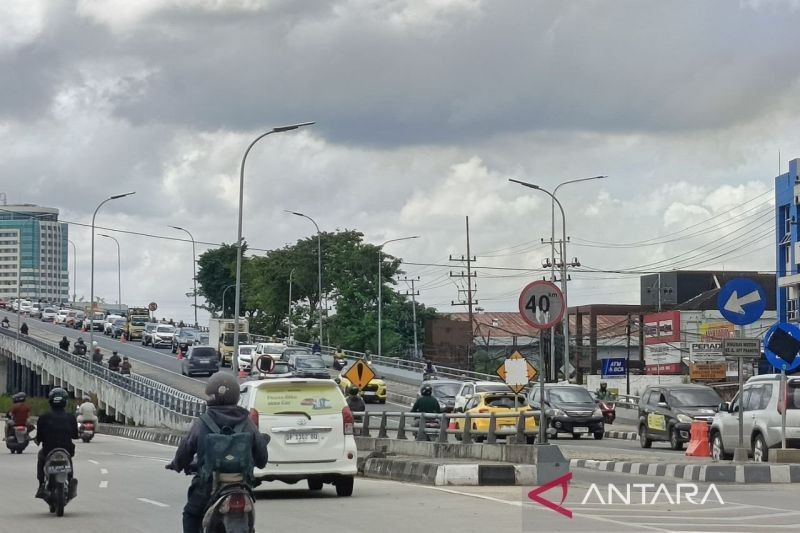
311, 431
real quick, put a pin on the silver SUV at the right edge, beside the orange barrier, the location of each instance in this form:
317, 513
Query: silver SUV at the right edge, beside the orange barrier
762, 410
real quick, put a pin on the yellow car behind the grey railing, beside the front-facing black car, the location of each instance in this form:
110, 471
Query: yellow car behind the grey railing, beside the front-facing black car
499, 403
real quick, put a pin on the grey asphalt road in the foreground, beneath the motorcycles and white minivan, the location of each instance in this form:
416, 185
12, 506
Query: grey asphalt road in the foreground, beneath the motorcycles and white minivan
123, 486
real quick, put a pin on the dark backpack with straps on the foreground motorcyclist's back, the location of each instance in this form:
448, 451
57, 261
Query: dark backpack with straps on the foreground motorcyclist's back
227, 451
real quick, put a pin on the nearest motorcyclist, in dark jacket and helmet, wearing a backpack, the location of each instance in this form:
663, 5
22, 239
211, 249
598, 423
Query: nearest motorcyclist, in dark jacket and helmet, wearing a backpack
222, 390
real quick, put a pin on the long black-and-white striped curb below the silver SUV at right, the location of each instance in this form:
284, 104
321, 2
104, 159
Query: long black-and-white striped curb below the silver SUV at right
709, 473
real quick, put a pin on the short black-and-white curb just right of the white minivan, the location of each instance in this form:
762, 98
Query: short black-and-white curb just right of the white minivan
428, 473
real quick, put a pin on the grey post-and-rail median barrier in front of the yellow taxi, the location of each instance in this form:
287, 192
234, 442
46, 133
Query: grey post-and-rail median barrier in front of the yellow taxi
440, 433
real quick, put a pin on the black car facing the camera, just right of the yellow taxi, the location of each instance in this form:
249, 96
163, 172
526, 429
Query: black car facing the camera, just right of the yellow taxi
569, 409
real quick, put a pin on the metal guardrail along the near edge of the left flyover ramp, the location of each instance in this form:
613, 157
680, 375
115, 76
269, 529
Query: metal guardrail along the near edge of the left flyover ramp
149, 389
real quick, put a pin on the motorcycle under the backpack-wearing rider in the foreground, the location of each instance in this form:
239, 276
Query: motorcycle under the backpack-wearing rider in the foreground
232, 508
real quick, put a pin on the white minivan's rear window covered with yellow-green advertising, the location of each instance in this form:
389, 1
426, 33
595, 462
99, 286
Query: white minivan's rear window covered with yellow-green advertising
319, 398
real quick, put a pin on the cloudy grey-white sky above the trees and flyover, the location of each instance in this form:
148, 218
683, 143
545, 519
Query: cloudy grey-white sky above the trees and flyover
424, 109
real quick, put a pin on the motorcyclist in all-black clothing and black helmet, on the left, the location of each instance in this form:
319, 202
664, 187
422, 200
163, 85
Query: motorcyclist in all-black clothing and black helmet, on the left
55, 429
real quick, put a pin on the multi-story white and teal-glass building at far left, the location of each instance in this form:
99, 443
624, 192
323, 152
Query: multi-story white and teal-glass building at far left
33, 251
